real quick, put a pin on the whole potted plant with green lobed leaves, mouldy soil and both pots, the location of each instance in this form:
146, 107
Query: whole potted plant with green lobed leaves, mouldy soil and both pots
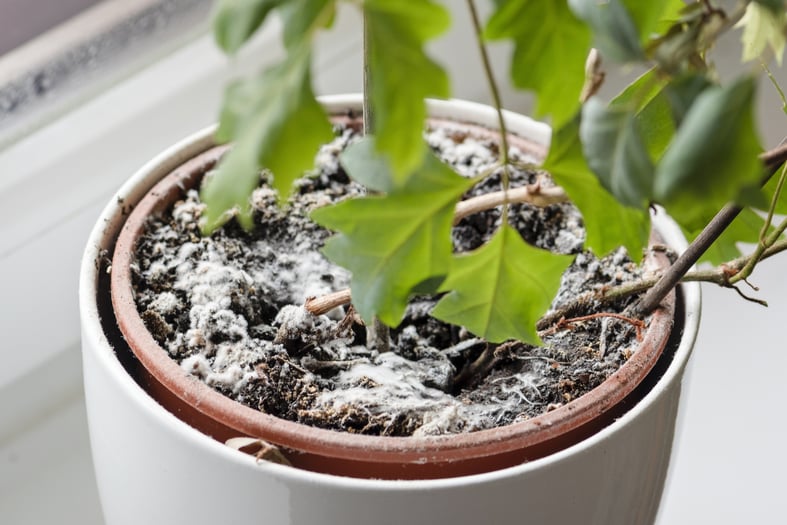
651, 144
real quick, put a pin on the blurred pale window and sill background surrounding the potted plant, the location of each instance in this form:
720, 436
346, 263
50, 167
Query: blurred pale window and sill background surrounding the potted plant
90, 90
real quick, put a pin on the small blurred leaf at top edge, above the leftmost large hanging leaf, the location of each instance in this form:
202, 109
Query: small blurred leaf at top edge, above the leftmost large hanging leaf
235, 21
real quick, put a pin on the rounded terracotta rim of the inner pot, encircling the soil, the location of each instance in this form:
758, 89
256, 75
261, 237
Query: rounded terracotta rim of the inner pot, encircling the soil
351, 446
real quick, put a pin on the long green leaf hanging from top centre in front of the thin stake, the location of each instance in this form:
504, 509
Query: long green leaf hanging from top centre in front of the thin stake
402, 75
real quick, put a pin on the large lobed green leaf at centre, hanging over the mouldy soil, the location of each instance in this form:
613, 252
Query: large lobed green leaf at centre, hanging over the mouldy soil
396, 242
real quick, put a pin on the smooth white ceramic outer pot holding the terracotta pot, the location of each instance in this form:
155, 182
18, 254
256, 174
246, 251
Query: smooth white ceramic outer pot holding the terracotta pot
153, 468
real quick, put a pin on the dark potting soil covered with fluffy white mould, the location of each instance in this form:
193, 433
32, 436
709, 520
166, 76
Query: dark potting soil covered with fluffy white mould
229, 309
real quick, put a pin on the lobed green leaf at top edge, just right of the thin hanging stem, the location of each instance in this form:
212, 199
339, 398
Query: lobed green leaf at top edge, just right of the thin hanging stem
550, 48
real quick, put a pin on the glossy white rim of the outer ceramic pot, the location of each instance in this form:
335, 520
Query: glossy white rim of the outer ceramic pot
100, 345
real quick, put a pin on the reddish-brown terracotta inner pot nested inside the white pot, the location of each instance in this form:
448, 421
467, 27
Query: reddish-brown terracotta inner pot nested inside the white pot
356, 455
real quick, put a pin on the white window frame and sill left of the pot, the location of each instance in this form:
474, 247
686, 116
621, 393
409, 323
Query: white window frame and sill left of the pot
60, 177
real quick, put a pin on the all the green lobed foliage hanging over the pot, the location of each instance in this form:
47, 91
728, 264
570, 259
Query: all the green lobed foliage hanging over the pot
675, 136
